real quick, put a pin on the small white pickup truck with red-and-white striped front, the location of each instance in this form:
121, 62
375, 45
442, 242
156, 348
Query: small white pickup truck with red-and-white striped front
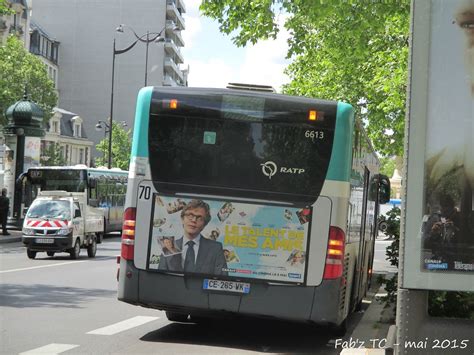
60, 221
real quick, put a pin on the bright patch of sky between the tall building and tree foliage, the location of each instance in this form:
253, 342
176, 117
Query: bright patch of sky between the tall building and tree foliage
215, 61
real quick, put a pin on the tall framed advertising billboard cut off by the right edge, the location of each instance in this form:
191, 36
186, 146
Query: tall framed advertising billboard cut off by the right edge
439, 211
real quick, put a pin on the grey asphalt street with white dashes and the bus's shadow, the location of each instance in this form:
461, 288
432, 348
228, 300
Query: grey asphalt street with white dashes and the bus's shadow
55, 304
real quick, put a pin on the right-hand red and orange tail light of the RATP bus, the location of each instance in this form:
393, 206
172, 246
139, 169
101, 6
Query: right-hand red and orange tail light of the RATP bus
335, 254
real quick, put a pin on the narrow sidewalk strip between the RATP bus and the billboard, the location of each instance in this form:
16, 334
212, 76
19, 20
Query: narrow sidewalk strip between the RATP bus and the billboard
370, 335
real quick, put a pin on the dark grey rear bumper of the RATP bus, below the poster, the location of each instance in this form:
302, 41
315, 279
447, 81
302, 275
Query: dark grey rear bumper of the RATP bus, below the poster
175, 293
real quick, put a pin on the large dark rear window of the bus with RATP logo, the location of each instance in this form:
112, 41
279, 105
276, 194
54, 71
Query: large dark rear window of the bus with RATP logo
257, 146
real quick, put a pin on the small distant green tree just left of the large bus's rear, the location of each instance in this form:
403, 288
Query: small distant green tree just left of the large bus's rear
121, 148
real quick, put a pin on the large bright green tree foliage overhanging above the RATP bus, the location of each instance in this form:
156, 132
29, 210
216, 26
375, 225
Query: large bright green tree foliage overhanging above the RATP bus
351, 51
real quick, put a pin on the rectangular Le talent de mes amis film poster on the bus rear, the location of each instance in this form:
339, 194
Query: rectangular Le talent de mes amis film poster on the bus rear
229, 238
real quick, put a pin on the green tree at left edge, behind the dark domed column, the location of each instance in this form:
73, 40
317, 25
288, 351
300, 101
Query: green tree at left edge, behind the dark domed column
20, 69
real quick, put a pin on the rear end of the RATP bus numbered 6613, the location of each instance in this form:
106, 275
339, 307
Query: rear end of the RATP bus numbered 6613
276, 186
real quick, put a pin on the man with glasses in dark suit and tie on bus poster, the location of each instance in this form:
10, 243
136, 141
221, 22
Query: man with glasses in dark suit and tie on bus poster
199, 255
